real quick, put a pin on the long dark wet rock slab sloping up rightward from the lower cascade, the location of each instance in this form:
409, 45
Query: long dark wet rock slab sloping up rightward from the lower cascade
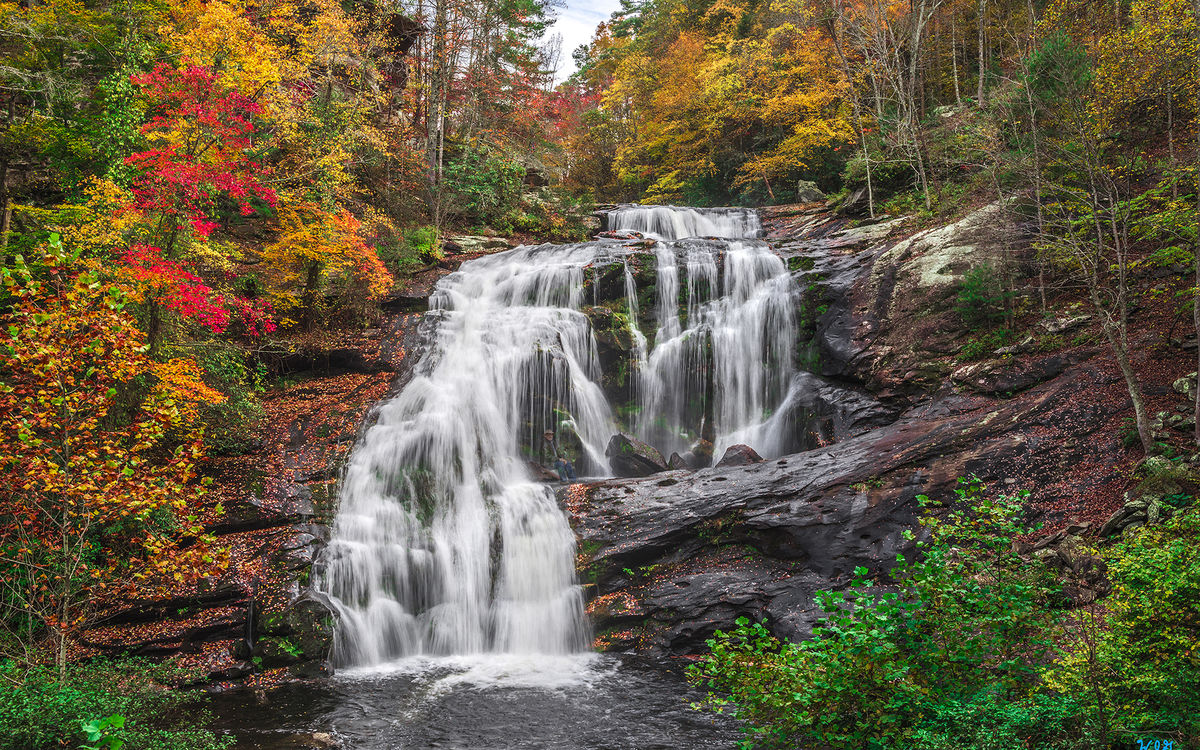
670, 559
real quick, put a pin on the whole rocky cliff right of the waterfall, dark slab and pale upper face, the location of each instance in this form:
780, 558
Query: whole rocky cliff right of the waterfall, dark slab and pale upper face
673, 557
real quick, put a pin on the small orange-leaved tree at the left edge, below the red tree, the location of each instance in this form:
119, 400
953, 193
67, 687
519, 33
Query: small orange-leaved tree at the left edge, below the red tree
98, 453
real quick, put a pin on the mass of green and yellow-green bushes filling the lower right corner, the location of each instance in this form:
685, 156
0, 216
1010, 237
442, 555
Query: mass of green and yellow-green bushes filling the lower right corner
970, 650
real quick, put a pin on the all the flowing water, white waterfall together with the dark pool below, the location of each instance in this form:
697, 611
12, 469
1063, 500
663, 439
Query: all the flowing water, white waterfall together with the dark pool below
453, 569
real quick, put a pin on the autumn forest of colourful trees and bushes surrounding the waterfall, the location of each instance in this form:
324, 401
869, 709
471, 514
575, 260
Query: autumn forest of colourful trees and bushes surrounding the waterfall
201, 196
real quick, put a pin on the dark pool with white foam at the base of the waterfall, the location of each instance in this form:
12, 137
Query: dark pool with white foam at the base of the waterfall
502, 703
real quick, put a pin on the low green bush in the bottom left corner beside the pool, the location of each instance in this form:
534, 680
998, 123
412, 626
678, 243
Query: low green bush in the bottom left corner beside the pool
112, 705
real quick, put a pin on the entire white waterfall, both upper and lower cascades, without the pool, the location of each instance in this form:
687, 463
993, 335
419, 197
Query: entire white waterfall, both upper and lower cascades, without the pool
445, 544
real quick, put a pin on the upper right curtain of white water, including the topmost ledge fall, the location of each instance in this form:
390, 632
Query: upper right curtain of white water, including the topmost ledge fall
730, 367
